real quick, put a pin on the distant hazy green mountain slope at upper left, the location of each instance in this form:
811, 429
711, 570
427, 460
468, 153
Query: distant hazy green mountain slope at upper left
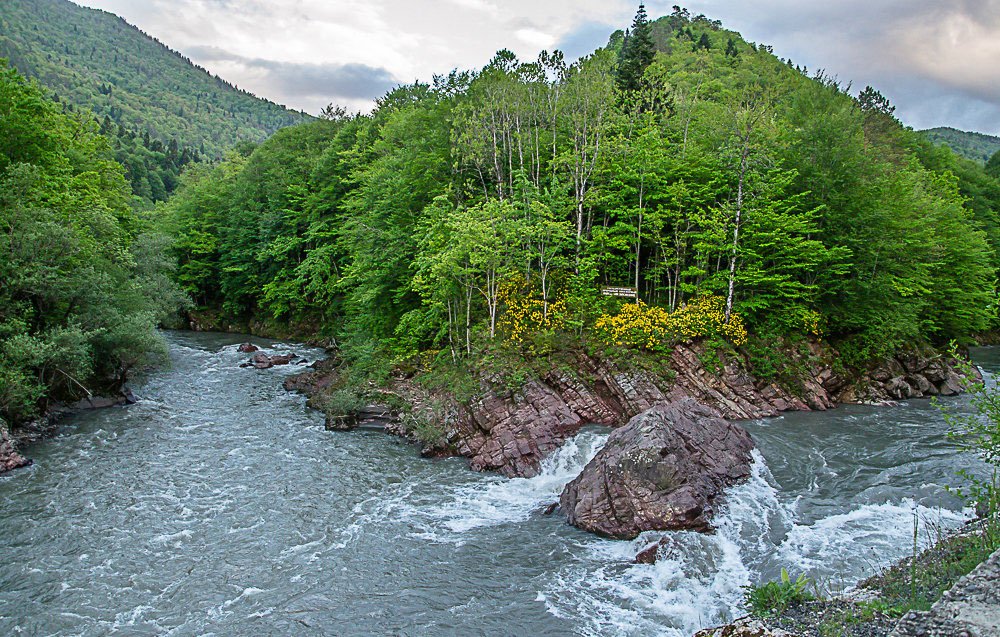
95, 59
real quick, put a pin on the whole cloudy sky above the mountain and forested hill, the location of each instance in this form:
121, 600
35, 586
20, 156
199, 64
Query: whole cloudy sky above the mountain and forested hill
937, 60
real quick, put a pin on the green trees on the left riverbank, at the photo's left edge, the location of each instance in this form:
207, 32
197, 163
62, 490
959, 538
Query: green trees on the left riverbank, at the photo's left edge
85, 281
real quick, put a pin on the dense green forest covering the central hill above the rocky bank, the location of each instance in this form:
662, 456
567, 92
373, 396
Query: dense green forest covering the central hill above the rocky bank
738, 194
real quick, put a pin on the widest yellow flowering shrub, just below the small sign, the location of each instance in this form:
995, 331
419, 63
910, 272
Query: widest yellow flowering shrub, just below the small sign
645, 327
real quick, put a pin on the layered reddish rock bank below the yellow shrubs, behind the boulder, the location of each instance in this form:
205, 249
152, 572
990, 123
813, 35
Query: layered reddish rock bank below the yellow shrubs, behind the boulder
511, 427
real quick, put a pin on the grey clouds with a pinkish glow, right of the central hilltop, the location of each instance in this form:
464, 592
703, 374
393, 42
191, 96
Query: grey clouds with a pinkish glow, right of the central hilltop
902, 47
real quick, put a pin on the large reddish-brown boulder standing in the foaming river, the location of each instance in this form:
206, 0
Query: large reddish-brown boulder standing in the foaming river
662, 471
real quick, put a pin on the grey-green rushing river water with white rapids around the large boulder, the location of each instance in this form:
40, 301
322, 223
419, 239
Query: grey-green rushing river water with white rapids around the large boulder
219, 505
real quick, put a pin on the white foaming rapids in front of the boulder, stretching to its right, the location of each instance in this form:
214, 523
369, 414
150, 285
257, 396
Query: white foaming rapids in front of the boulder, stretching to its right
698, 579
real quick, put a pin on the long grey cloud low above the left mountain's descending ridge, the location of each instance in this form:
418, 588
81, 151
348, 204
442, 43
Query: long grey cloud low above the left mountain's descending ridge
291, 80
